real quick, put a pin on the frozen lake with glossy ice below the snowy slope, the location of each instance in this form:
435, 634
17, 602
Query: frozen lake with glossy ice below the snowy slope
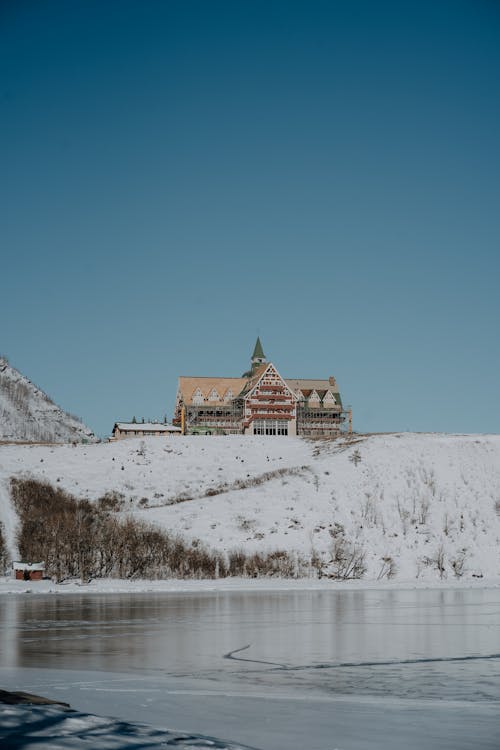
311, 670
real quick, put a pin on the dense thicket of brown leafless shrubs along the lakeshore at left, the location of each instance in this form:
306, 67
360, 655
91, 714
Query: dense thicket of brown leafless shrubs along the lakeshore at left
75, 537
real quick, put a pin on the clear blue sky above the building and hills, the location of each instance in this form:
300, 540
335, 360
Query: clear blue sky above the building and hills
178, 177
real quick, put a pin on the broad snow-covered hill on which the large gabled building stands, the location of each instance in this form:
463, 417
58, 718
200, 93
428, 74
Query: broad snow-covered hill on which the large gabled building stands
420, 507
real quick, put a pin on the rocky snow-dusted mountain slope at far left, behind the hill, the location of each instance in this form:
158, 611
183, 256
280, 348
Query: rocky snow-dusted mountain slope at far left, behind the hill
28, 414
